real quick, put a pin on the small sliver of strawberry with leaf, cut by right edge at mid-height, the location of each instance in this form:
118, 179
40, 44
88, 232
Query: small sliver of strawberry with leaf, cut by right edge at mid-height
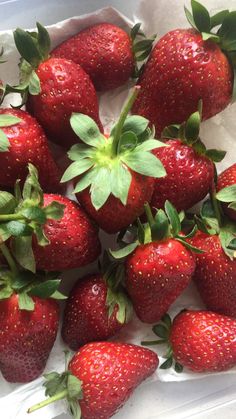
226, 187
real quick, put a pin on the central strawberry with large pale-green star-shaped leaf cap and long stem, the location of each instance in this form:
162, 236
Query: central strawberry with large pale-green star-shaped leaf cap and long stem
114, 175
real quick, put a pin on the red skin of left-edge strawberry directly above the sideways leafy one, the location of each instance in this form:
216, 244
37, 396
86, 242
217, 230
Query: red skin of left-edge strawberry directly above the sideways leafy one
28, 144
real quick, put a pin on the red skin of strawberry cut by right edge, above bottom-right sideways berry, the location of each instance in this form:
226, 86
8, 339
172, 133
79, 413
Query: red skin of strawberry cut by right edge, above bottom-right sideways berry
215, 275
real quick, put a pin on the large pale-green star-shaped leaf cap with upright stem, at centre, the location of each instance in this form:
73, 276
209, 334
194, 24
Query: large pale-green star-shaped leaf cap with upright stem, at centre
105, 165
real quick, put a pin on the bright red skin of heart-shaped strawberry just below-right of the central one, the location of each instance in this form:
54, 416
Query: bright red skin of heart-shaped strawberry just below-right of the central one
156, 274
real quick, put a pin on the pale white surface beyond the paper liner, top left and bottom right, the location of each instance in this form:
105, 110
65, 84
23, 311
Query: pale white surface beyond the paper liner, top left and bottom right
206, 398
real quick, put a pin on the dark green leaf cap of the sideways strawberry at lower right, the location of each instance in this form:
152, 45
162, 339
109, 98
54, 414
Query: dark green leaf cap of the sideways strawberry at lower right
162, 330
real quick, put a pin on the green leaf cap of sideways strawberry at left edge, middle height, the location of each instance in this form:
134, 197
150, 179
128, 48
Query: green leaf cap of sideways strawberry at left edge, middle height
22, 215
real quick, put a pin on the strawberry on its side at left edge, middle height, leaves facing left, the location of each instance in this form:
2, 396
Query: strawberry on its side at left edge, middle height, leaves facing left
48, 232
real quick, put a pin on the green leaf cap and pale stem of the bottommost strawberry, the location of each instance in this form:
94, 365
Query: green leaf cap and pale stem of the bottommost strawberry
62, 386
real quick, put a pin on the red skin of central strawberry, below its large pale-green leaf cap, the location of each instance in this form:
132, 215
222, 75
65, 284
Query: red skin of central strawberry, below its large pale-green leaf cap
113, 216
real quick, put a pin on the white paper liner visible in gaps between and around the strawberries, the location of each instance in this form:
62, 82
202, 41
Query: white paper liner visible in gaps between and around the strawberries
219, 132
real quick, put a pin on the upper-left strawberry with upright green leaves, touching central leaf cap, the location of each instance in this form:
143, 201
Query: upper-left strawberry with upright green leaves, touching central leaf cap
55, 87
